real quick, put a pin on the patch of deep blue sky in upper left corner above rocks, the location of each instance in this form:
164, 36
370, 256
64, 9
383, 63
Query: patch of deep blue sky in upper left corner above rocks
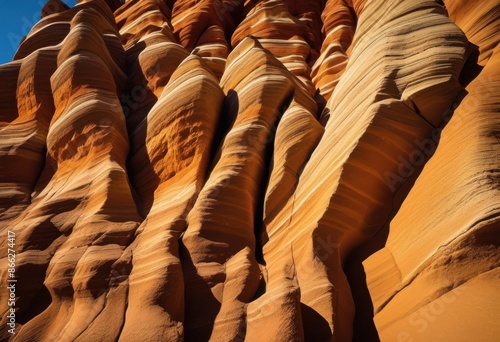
16, 19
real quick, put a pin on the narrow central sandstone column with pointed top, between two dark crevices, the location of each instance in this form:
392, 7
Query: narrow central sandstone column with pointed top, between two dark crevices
221, 273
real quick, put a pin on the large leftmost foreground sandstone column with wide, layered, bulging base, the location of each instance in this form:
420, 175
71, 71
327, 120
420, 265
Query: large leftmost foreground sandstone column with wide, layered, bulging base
84, 212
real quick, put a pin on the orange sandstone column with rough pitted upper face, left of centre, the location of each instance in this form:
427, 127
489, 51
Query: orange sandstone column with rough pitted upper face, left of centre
179, 132
